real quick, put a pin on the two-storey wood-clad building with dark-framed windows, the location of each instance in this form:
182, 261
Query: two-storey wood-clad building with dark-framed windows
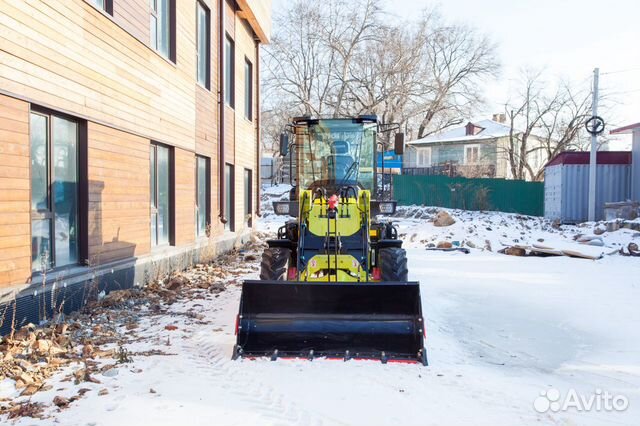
128, 139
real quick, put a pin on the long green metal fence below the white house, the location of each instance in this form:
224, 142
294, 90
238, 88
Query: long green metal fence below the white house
512, 196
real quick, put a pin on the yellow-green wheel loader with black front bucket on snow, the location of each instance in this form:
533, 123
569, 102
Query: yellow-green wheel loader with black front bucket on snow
334, 283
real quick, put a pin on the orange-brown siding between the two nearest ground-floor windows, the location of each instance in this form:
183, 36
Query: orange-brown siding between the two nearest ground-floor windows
119, 212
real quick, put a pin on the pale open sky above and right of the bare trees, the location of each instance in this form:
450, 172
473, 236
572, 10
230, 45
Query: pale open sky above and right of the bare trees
566, 38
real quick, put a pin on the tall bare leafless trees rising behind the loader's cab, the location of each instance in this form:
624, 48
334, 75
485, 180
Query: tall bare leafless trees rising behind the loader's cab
338, 58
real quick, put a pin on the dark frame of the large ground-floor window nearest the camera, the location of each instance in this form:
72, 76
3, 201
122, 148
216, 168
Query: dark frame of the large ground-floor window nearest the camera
82, 208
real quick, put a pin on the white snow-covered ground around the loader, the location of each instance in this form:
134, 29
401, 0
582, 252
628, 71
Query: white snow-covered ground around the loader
500, 330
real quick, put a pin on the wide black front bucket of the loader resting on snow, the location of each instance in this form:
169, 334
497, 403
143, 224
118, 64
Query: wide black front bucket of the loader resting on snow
381, 320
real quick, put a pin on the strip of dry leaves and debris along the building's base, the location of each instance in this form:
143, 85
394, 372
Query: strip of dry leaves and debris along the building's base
93, 342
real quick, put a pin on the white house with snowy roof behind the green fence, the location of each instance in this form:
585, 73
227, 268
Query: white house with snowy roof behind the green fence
477, 149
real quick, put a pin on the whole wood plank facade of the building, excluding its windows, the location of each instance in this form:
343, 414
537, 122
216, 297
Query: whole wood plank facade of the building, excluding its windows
101, 69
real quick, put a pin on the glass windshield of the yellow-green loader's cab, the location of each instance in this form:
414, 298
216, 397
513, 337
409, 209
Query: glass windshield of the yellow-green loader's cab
336, 153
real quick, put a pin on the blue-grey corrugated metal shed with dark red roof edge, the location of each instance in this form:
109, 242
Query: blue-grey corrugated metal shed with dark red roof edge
566, 184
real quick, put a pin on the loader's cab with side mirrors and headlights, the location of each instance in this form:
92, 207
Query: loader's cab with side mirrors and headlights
335, 154
